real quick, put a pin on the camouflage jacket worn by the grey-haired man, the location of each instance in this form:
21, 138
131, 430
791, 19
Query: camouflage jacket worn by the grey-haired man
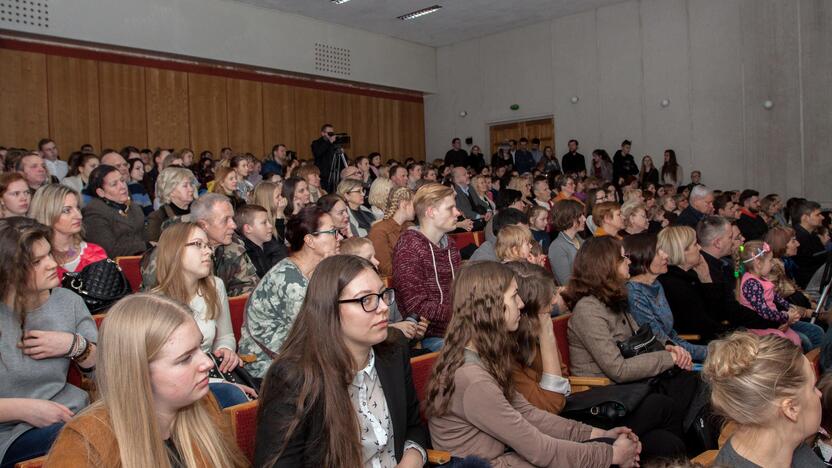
231, 265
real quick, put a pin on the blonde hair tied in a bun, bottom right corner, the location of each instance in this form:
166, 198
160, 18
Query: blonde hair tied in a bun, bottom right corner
750, 374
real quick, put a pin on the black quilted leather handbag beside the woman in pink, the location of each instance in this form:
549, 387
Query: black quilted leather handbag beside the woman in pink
99, 284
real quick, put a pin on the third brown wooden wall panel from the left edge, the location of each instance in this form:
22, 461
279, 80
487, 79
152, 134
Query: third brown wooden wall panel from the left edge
123, 105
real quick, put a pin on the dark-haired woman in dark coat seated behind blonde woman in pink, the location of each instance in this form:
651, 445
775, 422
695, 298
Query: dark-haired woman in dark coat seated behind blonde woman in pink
110, 220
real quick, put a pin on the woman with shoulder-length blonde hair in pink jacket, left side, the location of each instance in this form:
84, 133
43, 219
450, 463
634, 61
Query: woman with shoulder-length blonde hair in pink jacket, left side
57, 206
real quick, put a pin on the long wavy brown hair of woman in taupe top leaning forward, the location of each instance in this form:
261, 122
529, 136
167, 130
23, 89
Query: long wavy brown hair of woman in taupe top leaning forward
478, 318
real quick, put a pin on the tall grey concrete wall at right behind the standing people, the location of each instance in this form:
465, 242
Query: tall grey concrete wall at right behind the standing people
716, 61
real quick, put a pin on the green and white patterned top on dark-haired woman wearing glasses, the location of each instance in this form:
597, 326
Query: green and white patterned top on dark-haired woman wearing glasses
270, 312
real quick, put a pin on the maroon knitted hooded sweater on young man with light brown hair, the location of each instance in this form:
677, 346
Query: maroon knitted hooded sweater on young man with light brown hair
422, 276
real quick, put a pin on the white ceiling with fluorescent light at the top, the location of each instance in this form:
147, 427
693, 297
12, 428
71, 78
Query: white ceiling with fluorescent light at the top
457, 21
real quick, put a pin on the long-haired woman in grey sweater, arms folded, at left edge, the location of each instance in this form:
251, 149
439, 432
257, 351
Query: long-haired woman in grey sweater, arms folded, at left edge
45, 329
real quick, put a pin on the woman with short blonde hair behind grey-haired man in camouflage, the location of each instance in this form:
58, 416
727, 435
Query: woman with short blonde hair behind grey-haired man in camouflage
175, 191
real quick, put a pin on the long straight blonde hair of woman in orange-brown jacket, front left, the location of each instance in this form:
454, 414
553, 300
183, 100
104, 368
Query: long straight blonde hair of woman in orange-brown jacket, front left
136, 329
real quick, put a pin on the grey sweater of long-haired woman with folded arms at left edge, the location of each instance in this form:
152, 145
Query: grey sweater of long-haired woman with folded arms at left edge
45, 379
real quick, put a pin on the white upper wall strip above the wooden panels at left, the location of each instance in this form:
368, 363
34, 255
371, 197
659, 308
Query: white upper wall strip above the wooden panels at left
236, 32
